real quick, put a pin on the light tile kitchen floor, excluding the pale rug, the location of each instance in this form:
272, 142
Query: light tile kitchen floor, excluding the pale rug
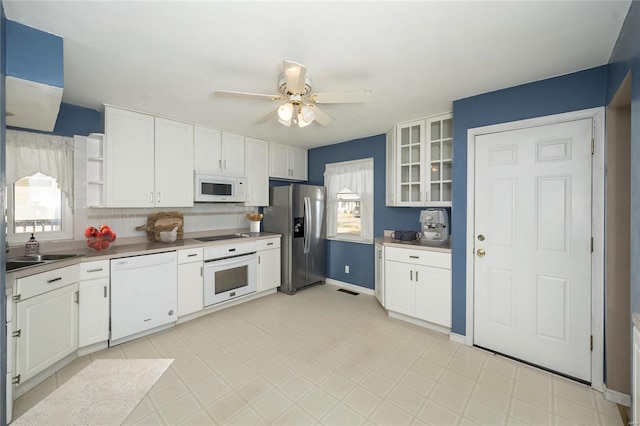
327, 357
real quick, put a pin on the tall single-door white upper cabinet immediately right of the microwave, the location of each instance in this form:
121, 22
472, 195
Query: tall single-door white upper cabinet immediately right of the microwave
257, 167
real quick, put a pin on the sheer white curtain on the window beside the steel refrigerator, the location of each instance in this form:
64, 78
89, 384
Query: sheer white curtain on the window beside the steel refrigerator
357, 176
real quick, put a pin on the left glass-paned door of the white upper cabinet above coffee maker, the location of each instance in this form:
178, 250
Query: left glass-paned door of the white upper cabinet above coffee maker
410, 173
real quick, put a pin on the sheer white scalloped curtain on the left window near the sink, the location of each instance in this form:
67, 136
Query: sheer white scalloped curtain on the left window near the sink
29, 153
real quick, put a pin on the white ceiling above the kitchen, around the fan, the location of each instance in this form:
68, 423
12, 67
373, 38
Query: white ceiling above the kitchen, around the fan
167, 57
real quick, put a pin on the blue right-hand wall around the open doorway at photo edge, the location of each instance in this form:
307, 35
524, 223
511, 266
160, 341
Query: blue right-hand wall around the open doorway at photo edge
625, 58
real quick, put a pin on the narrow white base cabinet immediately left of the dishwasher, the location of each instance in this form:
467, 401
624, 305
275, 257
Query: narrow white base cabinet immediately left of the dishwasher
93, 310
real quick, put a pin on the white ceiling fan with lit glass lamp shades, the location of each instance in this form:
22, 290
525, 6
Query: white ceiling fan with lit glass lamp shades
300, 107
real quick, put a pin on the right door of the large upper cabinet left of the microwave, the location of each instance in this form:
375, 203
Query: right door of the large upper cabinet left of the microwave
173, 163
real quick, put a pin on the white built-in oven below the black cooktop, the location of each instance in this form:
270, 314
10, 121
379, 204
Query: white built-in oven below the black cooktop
229, 272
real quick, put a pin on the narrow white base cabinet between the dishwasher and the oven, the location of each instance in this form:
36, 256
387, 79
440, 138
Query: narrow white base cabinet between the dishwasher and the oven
190, 285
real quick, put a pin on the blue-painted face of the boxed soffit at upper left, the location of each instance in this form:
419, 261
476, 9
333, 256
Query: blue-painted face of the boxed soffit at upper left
34, 55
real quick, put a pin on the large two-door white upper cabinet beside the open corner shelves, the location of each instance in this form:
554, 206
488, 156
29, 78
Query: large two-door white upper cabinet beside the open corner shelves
148, 160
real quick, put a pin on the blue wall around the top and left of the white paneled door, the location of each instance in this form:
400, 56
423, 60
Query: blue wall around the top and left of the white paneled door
572, 92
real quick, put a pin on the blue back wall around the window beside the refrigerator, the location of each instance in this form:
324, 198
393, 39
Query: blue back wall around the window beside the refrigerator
360, 257
